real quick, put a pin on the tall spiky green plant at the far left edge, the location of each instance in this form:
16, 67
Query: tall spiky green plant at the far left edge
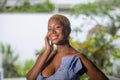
9, 60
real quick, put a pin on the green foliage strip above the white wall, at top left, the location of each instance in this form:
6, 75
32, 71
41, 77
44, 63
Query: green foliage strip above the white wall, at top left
27, 7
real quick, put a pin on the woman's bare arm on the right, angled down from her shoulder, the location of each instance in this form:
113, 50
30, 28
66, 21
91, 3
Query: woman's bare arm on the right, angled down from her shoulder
92, 71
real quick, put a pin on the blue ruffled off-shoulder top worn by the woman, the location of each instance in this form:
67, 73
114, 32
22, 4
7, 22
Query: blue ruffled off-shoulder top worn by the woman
68, 70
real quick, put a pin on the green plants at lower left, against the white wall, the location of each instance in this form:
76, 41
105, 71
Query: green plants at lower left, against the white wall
10, 67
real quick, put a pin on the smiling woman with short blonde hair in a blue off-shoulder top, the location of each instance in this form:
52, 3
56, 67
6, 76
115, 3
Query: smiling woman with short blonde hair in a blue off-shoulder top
65, 63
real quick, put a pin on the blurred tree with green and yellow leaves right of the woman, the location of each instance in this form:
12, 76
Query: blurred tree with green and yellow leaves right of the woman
98, 46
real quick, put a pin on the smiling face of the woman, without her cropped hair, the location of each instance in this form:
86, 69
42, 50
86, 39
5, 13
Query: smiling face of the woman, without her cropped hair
55, 32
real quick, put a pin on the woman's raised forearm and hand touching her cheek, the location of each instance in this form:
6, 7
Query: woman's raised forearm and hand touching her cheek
41, 61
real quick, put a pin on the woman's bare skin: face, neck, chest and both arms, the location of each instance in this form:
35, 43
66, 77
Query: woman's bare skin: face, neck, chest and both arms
56, 36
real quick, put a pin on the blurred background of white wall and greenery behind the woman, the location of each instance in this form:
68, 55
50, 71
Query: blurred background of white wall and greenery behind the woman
23, 25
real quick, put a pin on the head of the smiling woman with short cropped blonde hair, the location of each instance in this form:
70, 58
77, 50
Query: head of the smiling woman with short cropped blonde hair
58, 28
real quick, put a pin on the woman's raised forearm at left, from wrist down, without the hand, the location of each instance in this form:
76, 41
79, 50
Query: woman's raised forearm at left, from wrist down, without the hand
37, 68
